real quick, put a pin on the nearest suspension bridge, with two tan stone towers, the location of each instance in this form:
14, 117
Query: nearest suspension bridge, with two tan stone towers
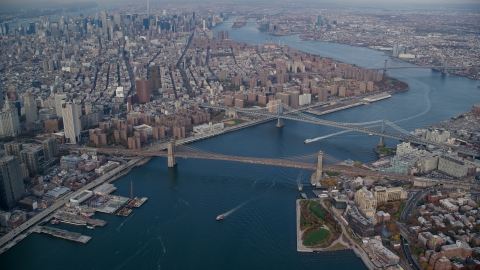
313, 161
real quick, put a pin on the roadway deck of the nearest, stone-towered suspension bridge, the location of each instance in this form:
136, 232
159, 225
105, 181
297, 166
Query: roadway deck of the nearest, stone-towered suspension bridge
254, 160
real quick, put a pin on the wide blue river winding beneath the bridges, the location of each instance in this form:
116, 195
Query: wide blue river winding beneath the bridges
176, 228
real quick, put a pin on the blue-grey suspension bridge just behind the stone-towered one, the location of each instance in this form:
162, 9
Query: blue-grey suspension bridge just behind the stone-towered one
282, 111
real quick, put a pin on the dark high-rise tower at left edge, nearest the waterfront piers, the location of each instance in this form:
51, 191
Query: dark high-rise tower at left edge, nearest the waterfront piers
11, 182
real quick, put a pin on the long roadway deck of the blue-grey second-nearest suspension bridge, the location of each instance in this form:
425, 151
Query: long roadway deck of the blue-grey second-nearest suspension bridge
319, 121
